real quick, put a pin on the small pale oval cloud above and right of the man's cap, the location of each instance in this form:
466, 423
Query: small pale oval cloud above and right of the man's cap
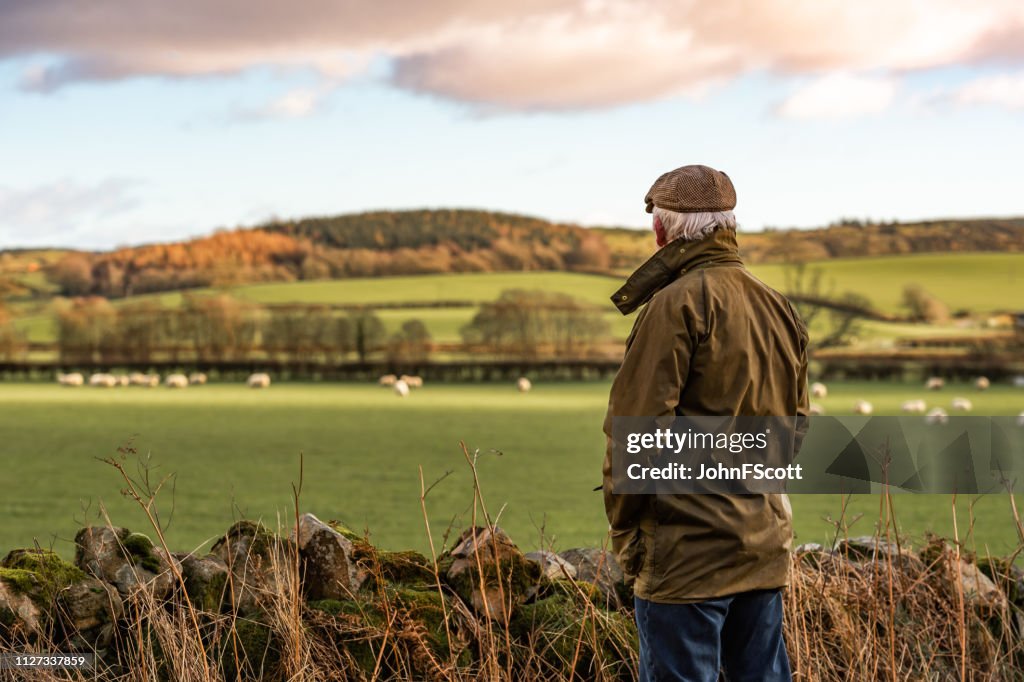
840, 96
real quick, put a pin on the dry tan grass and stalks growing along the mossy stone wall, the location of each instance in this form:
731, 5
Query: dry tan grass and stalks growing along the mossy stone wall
897, 616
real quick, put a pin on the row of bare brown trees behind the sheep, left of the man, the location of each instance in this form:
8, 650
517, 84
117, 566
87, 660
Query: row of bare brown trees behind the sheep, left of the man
221, 328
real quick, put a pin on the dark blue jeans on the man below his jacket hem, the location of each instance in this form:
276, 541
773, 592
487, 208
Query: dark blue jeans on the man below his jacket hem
741, 634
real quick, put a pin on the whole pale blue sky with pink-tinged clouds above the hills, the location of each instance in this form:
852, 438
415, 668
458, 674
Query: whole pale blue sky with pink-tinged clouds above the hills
127, 122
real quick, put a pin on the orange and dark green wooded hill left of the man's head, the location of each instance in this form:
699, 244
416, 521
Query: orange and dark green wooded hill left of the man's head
354, 246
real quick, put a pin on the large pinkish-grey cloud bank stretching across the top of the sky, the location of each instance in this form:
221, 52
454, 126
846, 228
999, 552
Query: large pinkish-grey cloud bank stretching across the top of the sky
532, 55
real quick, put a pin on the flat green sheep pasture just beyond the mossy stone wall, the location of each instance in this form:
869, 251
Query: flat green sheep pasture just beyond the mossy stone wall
235, 453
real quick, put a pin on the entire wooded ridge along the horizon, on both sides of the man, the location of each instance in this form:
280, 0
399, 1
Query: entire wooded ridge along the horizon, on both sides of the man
407, 243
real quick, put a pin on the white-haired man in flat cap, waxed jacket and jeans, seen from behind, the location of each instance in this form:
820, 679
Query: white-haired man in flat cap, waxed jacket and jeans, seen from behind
712, 340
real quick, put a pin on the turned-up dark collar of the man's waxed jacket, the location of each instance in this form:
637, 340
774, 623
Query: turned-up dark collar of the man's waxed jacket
672, 261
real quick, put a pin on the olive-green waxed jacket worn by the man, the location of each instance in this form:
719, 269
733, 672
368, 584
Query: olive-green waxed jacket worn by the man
712, 340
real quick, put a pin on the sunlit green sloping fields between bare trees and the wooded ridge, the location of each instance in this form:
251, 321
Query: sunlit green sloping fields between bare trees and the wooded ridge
980, 283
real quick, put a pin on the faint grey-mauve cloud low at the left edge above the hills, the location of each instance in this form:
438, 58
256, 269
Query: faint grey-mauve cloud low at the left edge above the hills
52, 214
